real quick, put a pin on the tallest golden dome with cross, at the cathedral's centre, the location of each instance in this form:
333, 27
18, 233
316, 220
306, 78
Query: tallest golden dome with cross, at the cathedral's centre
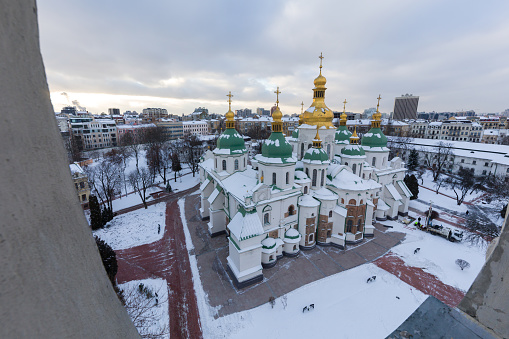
318, 114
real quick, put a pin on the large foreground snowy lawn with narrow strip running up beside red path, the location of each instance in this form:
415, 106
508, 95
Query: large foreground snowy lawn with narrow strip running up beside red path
344, 303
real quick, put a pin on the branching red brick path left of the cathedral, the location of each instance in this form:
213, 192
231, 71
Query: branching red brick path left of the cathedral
167, 259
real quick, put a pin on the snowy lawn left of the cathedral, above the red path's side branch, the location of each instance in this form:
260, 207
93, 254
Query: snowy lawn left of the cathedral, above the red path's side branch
134, 228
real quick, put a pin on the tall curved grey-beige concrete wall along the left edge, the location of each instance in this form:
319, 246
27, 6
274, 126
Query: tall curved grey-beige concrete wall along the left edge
52, 282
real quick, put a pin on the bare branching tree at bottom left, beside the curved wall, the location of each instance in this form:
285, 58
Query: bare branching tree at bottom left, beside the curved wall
142, 306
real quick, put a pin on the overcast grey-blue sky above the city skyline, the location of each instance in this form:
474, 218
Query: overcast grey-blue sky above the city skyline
181, 55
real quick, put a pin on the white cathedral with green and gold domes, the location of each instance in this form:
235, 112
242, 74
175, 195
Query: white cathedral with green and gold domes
321, 186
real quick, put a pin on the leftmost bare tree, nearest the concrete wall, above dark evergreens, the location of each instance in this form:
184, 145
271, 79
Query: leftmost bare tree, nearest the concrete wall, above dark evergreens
104, 179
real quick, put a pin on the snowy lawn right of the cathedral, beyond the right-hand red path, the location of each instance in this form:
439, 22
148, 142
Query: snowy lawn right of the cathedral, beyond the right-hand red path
437, 255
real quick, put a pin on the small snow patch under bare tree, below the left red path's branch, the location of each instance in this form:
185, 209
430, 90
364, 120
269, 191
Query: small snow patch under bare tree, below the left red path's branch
153, 312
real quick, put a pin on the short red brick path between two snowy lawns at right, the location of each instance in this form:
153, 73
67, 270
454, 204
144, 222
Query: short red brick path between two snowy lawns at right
423, 281
